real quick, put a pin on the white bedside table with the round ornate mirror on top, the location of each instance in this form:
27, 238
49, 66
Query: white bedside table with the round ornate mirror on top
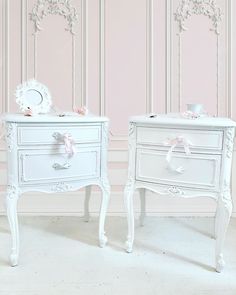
37, 161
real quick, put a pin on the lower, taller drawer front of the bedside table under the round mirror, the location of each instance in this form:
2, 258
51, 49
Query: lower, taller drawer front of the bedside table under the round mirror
49, 166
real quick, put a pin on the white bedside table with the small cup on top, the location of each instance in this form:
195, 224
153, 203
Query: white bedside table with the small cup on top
181, 157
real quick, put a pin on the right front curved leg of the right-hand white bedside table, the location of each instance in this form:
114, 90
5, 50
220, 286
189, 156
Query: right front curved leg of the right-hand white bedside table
224, 210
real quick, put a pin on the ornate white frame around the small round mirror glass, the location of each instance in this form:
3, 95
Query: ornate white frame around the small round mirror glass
43, 107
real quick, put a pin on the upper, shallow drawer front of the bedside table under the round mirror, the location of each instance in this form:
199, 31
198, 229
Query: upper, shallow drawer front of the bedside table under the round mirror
39, 135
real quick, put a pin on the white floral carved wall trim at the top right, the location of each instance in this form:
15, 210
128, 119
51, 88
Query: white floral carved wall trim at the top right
208, 8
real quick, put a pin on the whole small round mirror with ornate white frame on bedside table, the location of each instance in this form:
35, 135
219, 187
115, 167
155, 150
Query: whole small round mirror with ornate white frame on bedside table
34, 95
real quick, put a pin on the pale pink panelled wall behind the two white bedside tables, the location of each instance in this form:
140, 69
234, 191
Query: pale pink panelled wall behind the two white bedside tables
125, 66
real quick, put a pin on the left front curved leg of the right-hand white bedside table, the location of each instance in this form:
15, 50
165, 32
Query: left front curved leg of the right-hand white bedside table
128, 198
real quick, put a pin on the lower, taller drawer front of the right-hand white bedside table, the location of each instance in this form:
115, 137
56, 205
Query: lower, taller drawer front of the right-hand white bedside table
199, 170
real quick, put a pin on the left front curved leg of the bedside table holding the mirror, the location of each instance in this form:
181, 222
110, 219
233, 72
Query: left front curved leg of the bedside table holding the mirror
11, 208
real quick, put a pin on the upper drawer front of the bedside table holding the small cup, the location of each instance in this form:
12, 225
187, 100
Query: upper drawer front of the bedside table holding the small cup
200, 139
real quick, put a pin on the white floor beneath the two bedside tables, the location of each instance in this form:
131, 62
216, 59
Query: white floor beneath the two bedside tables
59, 255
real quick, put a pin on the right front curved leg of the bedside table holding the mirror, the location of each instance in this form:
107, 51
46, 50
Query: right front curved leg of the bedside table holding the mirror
103, 210
